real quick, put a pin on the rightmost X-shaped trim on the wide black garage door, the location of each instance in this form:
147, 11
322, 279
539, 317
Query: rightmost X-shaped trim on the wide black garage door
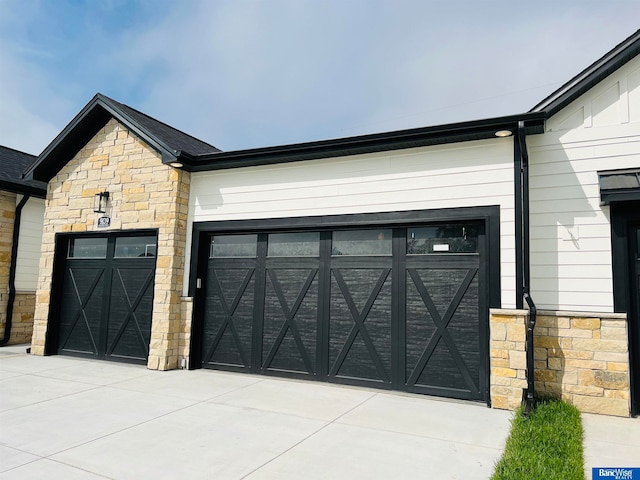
441, 330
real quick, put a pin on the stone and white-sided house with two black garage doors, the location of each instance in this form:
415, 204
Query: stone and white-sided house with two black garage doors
403, 260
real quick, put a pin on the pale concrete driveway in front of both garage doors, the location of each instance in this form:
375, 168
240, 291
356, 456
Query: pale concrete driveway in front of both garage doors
66, 418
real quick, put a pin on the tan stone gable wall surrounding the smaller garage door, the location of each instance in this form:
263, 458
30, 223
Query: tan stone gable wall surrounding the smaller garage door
144, 194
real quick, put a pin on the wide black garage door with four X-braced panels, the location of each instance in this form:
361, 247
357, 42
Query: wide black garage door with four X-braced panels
396, 308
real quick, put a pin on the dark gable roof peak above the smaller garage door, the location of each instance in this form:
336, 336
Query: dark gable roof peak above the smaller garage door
173, 144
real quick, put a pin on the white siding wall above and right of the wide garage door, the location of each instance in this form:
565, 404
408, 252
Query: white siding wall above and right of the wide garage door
469, 174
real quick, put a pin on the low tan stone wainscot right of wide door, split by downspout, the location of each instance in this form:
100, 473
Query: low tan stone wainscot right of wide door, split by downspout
582, 358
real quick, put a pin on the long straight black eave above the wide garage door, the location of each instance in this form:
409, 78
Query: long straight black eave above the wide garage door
379, 142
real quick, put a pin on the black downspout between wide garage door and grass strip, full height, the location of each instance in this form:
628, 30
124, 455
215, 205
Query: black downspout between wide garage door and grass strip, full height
522, 197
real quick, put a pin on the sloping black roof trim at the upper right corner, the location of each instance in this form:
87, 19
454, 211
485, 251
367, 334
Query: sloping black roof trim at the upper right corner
590, 76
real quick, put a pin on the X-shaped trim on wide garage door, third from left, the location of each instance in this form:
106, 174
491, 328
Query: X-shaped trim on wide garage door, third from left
359, 327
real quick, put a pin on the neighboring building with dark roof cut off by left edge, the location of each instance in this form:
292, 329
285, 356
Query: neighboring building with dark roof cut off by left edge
21, 214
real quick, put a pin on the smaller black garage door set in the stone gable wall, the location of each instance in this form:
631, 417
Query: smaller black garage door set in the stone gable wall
106, 296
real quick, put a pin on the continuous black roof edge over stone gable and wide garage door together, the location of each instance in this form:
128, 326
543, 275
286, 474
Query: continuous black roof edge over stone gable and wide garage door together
101, 108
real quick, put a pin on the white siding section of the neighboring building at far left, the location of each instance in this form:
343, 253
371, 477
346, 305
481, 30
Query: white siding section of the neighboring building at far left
29, 244
